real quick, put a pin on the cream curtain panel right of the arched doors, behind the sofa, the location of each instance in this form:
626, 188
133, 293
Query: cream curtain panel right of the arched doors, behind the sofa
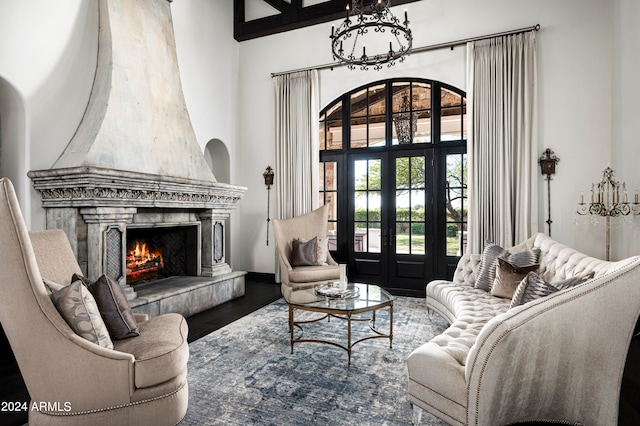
502, 140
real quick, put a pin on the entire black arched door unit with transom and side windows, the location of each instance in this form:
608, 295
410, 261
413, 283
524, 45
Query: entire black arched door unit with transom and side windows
393, 170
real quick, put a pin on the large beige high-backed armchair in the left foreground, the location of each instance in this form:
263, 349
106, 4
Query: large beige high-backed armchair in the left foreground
141, 381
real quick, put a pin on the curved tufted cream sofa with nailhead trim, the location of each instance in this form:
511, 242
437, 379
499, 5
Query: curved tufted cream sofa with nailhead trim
555, 359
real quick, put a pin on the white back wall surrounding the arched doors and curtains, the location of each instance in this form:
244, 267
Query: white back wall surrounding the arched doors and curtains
575, 92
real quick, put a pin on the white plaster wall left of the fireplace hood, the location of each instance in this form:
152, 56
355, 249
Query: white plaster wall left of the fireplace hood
48, 52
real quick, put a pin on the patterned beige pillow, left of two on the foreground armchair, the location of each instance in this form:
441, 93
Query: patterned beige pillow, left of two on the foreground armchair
79, 309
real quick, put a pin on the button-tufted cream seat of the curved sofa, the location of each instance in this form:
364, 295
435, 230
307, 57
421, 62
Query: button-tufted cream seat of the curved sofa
472, 308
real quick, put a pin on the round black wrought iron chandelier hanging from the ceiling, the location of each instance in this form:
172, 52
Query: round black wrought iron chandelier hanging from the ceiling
371, 20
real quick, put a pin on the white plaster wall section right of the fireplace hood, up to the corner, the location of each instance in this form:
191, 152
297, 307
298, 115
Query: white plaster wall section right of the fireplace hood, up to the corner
208, 58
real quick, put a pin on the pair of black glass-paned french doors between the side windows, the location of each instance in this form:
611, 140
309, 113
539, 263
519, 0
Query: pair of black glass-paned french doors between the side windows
391, 218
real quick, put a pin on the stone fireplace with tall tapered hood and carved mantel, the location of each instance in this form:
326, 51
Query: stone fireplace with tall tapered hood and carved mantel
134, 170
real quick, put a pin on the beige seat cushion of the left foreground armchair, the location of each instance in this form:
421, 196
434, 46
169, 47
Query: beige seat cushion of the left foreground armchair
161, 350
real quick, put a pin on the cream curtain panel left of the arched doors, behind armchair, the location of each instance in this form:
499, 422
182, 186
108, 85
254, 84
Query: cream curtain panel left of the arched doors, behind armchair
297, 111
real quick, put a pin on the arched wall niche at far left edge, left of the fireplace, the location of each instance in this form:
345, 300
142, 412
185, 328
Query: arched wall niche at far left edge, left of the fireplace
14, 143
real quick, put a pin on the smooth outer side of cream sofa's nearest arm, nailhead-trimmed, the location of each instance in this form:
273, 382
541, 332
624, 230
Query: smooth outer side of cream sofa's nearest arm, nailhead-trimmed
559, 358
